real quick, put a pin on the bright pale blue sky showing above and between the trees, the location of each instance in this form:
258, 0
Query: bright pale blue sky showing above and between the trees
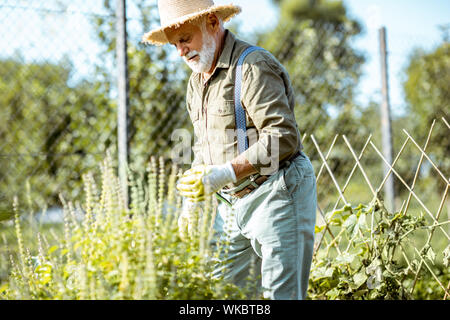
409, 23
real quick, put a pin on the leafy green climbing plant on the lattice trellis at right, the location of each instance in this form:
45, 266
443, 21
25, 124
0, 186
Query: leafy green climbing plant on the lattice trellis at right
358, 263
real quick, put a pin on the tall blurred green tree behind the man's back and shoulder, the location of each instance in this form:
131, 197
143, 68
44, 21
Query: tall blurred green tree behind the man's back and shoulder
313, 41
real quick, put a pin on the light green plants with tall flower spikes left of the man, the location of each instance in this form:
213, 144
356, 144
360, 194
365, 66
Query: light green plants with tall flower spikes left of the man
117, 253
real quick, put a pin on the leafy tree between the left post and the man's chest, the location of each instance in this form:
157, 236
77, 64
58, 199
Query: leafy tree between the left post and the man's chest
157, 85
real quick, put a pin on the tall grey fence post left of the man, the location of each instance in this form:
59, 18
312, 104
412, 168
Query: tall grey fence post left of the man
123, 99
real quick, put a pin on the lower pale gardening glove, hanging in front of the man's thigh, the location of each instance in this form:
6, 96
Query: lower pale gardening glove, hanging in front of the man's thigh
188, 219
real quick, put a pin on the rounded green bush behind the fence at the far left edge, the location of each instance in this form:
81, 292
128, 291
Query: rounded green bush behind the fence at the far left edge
50, 132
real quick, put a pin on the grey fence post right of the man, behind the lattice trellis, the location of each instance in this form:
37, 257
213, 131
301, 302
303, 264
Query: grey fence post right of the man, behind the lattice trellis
386, 129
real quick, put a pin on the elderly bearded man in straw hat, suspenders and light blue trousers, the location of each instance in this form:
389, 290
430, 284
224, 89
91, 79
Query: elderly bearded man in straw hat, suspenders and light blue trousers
248, 150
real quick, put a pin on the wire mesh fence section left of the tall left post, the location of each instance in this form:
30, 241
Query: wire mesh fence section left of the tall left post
52, 111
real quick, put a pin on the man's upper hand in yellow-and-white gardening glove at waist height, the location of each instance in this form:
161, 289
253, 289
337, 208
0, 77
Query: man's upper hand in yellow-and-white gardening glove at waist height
205, 180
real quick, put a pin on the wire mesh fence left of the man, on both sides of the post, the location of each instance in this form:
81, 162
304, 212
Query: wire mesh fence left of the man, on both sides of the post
58, 76
